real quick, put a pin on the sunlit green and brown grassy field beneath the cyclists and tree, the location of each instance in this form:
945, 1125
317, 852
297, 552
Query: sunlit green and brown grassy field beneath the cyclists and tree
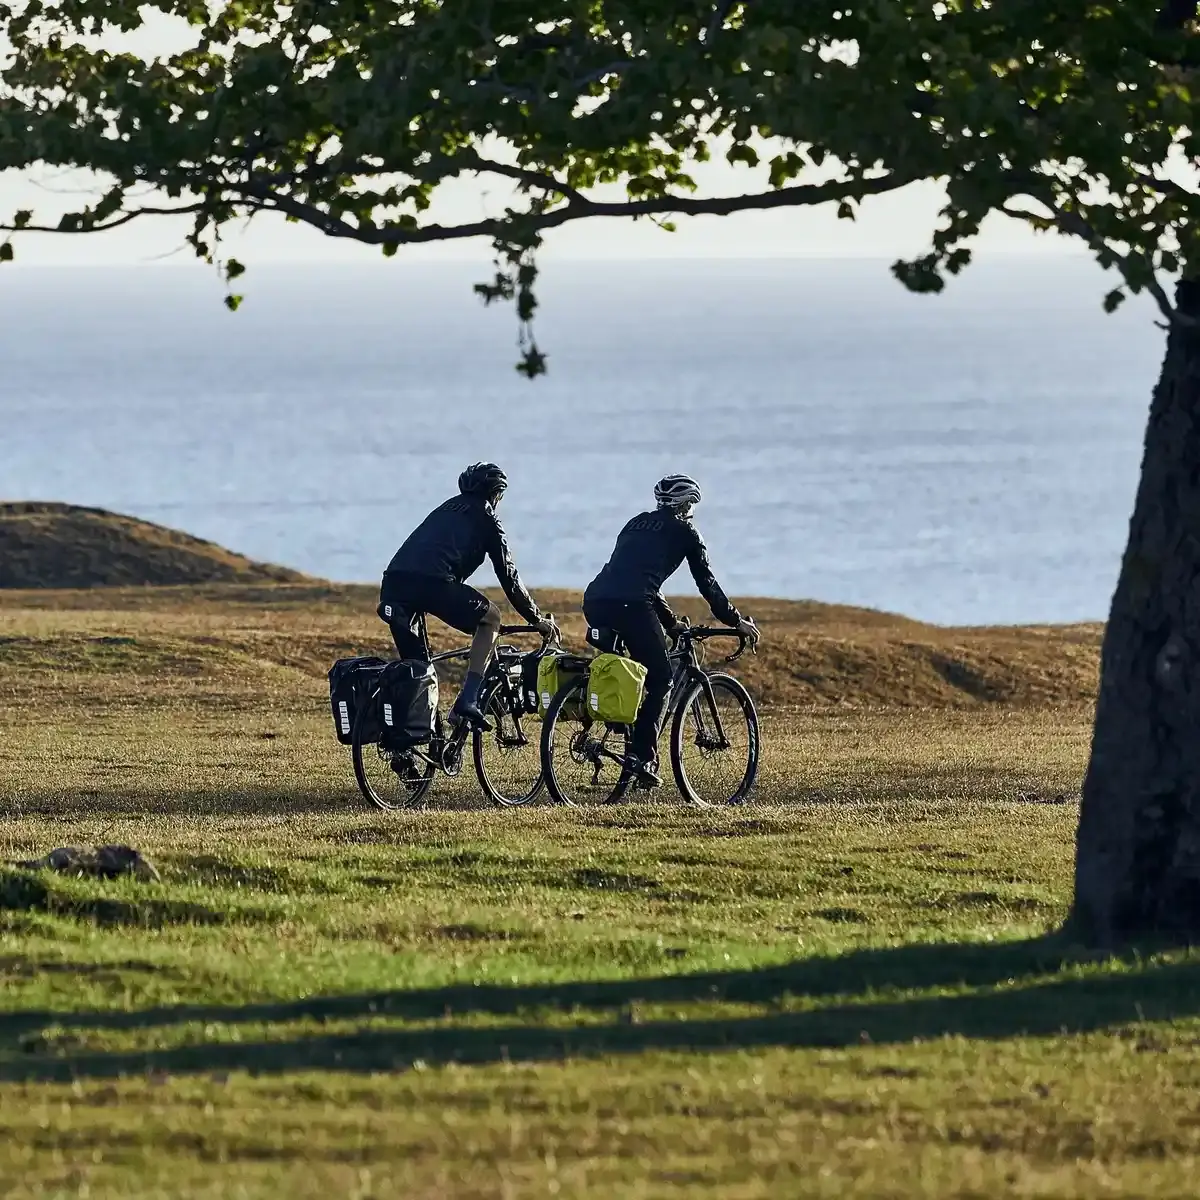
851, 988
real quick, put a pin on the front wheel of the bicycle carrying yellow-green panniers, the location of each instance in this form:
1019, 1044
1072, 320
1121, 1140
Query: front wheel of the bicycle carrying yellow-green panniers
715, 743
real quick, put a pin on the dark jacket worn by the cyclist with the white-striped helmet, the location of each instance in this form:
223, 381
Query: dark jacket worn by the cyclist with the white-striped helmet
650, 550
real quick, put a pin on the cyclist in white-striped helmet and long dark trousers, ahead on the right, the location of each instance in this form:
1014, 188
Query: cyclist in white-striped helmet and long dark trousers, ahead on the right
627, 598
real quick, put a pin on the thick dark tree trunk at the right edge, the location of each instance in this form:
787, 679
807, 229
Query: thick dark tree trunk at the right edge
1138, 855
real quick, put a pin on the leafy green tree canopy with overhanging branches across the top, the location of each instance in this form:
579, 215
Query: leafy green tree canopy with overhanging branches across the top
349, 116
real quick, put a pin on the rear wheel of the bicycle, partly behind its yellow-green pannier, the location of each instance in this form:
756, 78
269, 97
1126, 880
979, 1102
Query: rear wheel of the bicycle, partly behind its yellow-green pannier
580, 758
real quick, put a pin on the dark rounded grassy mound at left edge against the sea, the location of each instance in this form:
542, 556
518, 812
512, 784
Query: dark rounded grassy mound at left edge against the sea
65, 547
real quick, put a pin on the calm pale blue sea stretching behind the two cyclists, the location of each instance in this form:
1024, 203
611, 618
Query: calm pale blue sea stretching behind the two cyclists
968, 459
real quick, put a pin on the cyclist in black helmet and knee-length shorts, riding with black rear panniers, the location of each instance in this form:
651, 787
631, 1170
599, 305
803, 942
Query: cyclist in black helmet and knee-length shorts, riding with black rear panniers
427, 577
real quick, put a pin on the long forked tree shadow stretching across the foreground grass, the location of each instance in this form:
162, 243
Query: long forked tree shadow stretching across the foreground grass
1021, 989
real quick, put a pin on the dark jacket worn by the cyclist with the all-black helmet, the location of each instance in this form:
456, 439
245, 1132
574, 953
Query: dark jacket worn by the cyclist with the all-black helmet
452, 544
